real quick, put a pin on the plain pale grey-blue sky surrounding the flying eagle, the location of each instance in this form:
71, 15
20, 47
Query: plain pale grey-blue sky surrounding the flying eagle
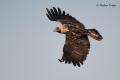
29, 49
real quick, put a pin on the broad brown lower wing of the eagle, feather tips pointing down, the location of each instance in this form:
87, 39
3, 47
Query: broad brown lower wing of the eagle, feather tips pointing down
76, 50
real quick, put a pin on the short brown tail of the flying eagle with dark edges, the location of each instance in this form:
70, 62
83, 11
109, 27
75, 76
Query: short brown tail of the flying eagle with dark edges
95, 34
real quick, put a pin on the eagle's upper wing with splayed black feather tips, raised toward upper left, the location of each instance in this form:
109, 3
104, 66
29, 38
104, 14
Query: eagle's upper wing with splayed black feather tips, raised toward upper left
58, 15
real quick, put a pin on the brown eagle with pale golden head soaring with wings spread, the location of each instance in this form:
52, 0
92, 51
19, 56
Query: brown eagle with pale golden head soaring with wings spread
77, 45
